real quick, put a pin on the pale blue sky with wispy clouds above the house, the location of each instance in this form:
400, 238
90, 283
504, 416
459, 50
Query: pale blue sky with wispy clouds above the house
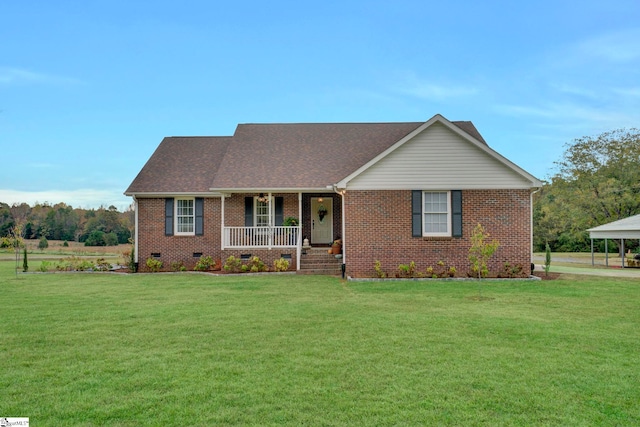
88, 89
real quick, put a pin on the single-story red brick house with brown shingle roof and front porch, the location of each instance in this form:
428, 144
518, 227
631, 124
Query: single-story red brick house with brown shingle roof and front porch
393, 192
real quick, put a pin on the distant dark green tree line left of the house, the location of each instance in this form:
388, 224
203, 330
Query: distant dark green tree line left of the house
94, 227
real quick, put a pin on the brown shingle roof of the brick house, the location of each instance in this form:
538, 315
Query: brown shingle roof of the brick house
270, 156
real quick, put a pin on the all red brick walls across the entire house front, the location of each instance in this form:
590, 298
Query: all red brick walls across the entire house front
378, 227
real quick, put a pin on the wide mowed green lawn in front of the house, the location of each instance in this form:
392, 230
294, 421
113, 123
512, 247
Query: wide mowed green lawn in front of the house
192, 349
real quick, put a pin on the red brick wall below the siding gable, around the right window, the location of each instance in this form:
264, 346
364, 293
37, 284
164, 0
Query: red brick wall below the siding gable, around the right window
378, 227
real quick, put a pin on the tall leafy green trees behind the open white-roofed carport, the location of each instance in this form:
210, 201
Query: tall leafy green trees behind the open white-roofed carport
596, 181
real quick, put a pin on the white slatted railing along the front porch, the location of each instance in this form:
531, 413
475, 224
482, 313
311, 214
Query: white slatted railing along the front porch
262, 237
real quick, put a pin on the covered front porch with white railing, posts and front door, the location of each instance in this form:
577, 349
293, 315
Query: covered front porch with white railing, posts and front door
280, 220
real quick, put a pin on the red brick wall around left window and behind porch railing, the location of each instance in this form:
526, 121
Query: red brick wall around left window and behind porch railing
151, 237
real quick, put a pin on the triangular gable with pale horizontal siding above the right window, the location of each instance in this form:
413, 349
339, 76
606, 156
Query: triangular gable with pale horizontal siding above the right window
440, 154
